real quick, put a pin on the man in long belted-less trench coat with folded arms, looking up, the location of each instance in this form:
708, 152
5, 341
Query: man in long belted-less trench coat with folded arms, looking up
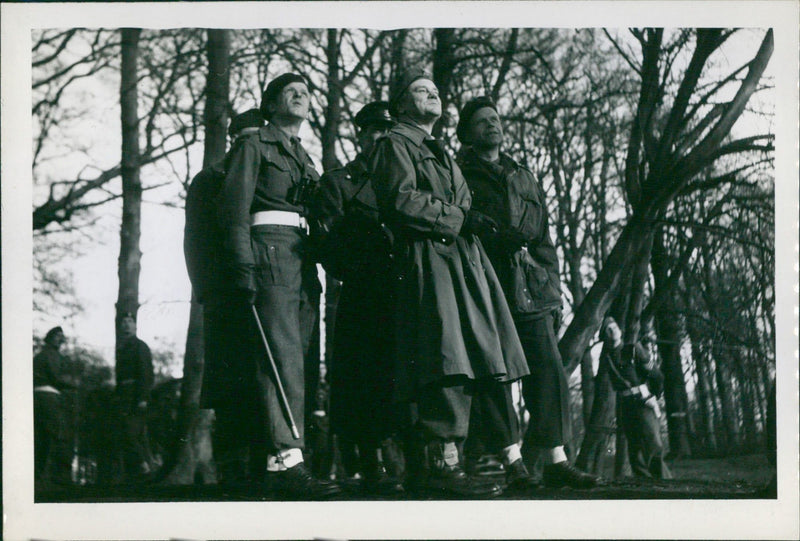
455, 333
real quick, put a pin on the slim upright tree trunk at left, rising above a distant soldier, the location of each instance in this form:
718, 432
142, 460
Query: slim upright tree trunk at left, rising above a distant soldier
131, 228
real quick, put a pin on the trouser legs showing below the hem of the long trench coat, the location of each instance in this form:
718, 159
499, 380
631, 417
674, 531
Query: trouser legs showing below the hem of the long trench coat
443, 410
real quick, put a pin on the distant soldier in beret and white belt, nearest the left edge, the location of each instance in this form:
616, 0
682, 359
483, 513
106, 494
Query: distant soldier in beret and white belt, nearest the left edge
49, 429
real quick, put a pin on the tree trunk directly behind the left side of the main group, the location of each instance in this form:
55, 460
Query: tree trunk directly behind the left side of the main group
194, 452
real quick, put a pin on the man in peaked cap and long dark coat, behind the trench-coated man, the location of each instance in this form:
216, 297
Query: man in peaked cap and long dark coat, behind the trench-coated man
355, 247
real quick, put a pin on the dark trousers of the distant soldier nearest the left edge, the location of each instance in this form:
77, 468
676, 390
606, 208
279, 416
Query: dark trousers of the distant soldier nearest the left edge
50, 436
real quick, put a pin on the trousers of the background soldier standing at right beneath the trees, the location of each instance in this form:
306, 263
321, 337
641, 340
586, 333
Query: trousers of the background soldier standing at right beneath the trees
643, 432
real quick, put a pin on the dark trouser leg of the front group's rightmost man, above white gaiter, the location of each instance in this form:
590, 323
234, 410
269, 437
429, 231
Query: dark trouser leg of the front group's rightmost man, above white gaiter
545, 390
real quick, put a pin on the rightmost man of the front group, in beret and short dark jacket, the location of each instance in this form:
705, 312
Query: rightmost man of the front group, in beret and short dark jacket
527, 265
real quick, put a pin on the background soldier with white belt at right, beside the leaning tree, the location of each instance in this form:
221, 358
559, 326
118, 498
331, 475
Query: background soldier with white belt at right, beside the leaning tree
638, 383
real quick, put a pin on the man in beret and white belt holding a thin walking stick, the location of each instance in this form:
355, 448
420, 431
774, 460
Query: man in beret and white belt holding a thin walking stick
262, 219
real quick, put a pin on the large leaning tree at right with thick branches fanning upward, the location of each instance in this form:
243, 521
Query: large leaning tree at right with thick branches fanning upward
666, 151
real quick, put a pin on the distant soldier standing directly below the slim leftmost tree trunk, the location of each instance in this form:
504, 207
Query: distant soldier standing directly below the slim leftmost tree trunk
134, 377
